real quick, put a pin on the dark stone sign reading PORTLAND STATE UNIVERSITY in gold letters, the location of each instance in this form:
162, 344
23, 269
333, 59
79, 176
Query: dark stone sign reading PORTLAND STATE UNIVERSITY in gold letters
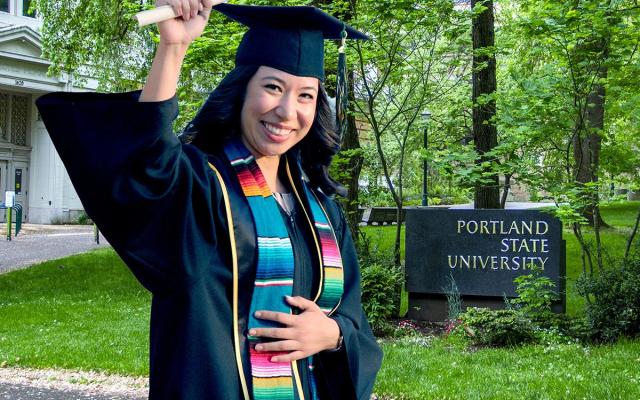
483, 250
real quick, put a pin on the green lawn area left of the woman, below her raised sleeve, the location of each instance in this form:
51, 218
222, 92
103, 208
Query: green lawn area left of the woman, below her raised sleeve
80, 312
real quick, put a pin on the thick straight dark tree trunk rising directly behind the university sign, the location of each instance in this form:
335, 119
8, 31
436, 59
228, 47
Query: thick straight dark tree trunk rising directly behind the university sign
485, 134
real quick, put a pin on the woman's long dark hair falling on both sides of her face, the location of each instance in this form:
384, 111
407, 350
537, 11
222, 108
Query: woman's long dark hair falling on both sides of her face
219, 118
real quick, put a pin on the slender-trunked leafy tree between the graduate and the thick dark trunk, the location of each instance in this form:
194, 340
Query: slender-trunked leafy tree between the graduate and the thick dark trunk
400, 73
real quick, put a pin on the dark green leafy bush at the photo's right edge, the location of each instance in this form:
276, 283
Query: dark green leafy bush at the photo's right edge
614, 307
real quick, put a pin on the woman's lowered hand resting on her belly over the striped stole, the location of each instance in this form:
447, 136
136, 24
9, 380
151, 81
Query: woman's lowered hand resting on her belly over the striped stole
302, 335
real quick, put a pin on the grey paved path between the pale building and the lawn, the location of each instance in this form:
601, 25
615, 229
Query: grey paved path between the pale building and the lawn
37, 243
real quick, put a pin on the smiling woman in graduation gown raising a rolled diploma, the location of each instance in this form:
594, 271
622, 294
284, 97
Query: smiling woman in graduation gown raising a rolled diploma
254, 295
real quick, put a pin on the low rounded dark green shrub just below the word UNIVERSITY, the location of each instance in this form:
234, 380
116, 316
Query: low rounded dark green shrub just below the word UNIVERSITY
497, 327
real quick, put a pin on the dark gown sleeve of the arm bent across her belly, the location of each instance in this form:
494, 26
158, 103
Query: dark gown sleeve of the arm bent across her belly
351, 371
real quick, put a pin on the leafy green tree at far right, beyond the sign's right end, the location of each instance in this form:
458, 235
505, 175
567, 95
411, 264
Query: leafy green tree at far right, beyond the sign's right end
567, 53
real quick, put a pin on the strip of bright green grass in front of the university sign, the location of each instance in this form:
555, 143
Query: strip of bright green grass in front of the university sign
443, 370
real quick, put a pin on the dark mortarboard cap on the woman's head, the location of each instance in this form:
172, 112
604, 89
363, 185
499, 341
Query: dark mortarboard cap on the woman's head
290, 39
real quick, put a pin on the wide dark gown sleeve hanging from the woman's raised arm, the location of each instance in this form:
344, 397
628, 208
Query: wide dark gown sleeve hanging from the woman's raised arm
150, 196
